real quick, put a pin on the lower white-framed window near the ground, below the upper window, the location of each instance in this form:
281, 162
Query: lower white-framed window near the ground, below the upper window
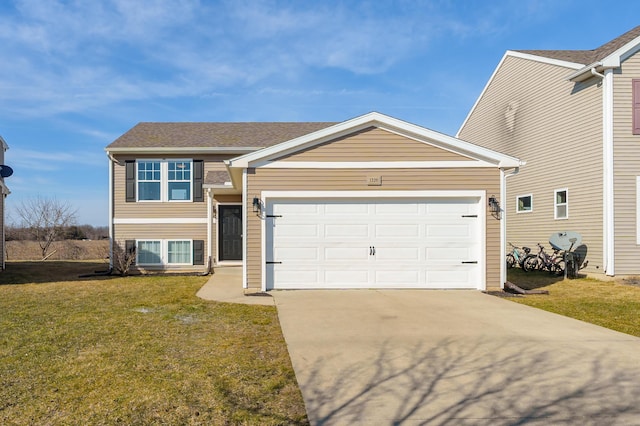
161, 252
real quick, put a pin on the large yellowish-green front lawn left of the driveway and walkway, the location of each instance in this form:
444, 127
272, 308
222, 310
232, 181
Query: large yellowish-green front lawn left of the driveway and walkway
136, 350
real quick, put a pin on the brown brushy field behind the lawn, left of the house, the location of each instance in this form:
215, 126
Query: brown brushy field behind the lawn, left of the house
64, 250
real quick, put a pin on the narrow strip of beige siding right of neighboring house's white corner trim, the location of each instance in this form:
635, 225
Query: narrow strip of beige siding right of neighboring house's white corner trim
626, 169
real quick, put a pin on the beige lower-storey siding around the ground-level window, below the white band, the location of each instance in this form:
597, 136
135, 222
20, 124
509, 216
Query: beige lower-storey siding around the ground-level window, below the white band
125, 232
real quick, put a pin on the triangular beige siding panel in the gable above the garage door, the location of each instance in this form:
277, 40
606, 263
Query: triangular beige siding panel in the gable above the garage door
374, 144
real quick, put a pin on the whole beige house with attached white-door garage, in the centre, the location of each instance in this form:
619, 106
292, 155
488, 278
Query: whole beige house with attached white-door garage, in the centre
372, 202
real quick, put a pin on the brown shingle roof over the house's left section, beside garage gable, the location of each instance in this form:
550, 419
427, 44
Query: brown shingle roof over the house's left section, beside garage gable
205, 135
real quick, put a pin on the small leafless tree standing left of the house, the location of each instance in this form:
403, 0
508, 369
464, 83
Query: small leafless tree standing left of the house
46, 219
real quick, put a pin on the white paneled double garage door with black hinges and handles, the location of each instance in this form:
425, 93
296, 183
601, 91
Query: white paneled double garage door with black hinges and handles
365, 243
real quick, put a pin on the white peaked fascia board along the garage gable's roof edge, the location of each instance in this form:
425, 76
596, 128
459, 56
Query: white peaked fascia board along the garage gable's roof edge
382, 121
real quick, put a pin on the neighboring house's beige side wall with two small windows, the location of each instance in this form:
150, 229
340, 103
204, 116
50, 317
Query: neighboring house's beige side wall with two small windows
532, 112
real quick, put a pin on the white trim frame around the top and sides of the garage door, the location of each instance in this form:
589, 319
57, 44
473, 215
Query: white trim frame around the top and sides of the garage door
268, 196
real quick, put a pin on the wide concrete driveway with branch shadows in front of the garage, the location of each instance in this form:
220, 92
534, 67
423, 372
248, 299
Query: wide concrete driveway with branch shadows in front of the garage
410, 357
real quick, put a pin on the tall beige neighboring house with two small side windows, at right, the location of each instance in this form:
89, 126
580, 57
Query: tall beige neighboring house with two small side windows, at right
574, 116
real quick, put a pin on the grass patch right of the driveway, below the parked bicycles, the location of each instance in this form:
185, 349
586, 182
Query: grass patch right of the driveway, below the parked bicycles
606, 303
